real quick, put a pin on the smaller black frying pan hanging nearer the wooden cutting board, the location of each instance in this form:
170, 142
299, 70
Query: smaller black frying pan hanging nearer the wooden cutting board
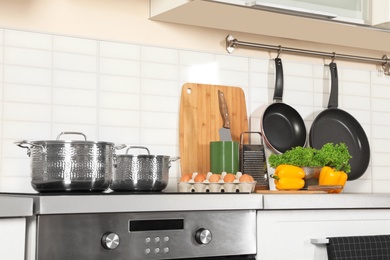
282, 126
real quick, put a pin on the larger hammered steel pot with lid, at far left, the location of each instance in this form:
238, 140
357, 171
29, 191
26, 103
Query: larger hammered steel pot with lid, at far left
70, 165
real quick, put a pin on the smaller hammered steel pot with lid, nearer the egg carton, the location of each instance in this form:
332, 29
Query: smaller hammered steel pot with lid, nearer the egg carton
141, 172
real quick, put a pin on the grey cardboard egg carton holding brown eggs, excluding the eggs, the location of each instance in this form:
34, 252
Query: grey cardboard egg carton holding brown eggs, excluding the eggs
217, 187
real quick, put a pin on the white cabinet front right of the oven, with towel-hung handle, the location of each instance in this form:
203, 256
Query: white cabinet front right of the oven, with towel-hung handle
286, 234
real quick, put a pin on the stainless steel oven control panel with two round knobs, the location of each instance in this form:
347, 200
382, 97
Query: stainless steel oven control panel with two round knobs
149, 235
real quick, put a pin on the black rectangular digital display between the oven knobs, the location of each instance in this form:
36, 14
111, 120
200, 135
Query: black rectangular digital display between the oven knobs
156, 224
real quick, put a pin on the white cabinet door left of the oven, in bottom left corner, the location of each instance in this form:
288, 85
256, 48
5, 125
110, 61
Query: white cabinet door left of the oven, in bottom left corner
12, 238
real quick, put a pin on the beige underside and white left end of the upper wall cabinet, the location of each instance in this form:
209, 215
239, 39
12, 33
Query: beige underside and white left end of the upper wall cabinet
241, 18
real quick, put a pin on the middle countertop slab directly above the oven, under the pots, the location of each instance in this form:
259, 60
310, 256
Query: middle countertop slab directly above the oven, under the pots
66, 204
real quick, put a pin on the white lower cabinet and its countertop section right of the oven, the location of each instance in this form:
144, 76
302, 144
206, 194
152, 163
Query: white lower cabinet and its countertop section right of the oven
287, 223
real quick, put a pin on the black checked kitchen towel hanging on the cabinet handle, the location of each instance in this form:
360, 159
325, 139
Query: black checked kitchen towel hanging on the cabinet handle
376, 247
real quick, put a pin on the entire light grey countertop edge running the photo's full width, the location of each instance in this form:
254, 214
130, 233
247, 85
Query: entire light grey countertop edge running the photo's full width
21, 204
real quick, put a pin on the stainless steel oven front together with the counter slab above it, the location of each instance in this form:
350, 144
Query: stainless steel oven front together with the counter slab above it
140, 226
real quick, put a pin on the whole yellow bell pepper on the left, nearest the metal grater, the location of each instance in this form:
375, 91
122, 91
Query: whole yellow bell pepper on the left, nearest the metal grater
288, 177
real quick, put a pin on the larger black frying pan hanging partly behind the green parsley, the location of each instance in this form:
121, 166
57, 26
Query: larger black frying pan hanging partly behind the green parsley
334, 125
